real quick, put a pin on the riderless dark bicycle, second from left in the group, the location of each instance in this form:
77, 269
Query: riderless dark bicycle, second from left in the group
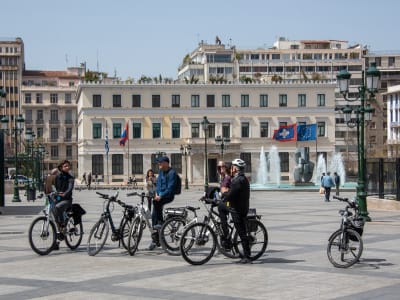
99, 232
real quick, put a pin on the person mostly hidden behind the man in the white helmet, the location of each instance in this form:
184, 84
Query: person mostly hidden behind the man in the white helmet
224, 171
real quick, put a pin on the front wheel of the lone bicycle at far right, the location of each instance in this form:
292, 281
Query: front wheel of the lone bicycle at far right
344, 250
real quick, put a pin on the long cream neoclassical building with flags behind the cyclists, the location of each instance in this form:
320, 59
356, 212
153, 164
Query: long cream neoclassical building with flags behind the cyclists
162, 117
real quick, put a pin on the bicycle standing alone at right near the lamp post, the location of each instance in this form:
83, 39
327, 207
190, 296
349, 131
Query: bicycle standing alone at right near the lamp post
345, 245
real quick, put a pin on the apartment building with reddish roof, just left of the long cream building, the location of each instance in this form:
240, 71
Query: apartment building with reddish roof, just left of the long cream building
49, 107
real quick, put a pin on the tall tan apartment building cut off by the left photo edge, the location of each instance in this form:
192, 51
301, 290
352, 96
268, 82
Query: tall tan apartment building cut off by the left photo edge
11, 67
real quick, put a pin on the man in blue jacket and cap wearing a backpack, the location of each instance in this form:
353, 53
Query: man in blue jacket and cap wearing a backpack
165, 193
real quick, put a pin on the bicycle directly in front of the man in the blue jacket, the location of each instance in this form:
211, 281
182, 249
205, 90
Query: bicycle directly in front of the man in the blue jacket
139, 223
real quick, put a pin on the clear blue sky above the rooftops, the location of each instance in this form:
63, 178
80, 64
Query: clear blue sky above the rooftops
151, 37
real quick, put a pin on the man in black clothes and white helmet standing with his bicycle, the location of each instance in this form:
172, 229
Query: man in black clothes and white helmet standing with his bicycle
238, 198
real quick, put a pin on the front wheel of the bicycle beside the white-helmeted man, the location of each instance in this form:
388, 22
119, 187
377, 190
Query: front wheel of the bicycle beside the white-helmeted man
198, 244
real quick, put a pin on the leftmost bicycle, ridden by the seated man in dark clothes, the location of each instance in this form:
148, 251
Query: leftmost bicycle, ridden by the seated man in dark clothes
44, 232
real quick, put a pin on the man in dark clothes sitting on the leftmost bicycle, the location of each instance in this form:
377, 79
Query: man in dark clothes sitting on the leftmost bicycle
64, 184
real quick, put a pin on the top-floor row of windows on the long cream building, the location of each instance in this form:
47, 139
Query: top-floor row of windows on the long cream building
210, 100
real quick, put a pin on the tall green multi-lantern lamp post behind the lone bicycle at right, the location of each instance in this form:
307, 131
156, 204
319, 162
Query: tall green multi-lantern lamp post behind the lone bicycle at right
362, 113
